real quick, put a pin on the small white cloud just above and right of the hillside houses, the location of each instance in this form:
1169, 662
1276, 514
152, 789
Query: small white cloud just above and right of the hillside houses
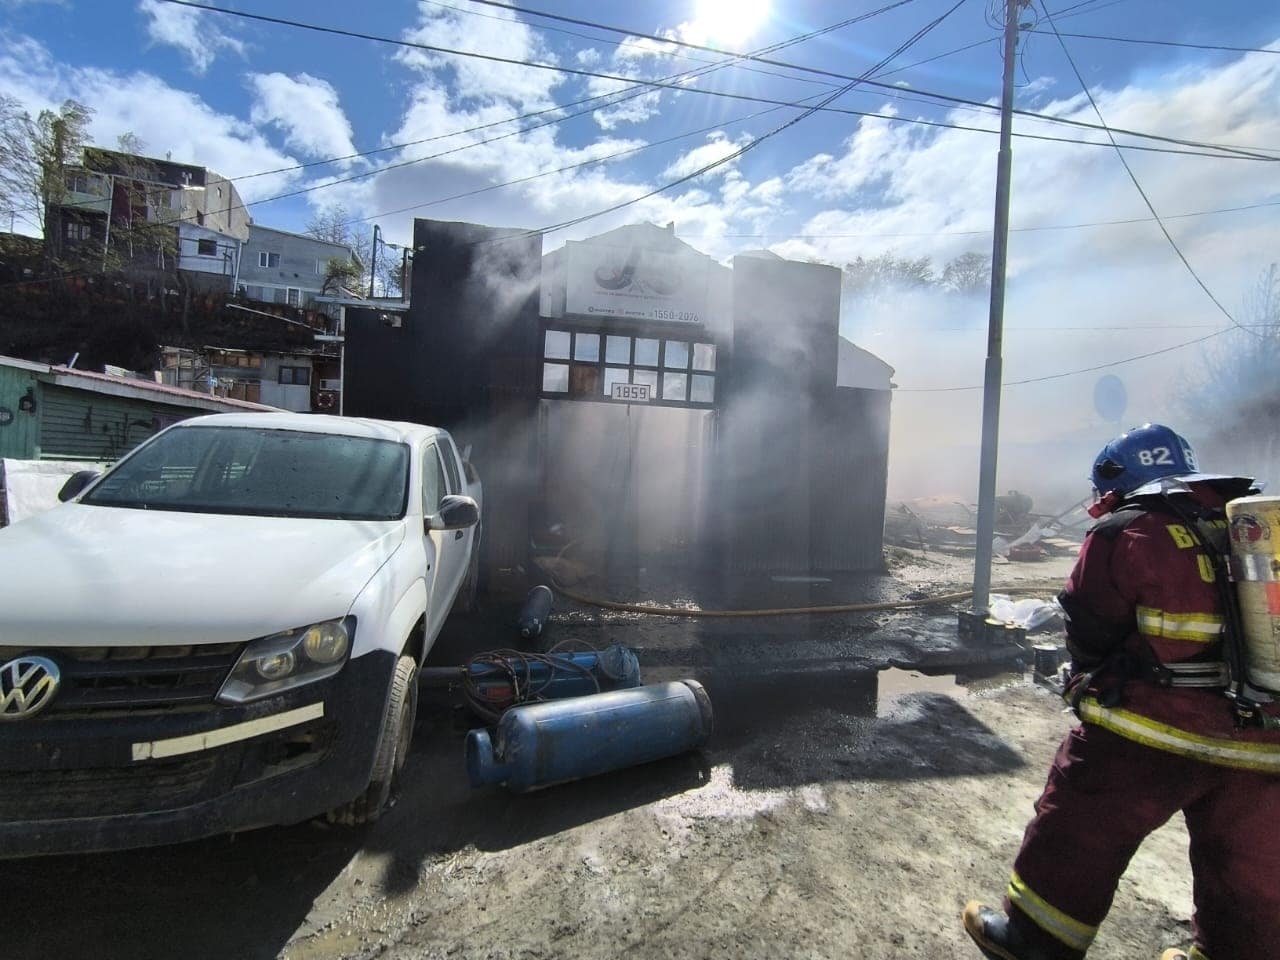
307, 109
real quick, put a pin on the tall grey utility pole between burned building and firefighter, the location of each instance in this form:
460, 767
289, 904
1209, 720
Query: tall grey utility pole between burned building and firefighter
996, 324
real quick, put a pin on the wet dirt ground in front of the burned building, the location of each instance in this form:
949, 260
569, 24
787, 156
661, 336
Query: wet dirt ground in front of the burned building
836, 812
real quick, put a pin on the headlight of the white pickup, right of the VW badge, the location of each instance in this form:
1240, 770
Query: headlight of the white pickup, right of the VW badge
287, 660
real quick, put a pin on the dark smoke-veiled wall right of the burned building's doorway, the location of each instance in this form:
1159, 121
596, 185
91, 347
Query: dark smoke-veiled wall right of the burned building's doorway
802, 464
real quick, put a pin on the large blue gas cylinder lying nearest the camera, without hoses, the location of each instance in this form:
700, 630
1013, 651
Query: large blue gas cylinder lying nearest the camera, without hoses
542, 744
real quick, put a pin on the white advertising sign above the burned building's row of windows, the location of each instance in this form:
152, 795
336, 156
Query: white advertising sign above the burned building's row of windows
636, 284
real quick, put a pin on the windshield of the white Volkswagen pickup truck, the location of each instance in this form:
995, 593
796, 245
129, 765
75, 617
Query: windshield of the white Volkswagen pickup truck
263, 473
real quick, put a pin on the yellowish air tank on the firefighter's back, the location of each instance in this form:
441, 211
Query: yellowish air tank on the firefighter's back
1256, 574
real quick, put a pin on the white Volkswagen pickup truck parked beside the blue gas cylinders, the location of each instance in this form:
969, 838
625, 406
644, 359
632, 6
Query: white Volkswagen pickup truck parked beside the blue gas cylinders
223, 632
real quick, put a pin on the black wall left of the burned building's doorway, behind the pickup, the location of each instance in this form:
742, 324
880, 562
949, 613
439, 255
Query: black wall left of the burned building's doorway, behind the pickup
465, 359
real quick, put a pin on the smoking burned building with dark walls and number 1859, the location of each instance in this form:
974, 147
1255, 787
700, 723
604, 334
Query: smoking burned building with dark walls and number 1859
636, 401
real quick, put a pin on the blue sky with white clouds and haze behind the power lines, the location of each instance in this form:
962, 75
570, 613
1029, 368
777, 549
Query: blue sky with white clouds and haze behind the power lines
284, 109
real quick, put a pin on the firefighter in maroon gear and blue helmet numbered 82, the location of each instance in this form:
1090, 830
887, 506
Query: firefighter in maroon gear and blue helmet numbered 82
1148, 611
